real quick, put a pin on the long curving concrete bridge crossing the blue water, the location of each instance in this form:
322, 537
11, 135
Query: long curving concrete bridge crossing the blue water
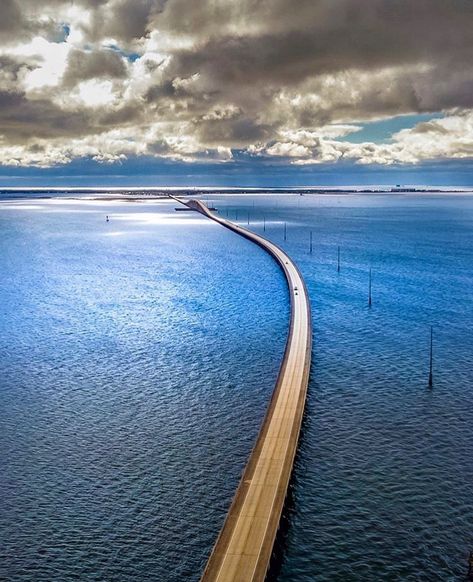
244, 546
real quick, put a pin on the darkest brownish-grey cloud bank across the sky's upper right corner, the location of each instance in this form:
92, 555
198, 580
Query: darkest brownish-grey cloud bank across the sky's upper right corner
319, 37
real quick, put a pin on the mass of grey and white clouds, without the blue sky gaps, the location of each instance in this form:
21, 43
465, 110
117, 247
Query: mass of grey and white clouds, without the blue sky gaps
227, 74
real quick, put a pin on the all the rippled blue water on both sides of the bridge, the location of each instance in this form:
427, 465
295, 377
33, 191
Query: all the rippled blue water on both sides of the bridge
138, 356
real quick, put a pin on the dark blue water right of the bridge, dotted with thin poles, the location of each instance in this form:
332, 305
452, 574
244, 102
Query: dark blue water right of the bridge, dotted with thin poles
383, 486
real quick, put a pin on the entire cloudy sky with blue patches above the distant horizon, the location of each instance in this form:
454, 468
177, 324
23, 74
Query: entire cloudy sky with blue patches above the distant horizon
228, 91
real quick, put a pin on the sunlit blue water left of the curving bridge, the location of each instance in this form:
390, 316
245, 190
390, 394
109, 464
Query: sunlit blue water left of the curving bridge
136, 362
